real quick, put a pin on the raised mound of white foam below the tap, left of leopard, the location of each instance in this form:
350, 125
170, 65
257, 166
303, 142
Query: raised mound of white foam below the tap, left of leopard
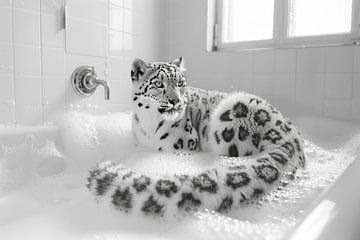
89, 139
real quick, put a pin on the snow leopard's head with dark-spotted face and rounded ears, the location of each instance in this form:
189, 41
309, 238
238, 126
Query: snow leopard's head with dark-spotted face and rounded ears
160, 86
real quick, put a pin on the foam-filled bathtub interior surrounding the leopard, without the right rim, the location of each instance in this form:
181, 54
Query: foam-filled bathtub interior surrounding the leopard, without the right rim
43, 174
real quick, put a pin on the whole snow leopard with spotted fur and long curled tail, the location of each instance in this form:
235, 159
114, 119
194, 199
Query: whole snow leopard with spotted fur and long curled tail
170, 116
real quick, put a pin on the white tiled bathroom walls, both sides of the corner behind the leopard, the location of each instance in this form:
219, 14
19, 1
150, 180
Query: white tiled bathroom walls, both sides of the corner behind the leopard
37, 58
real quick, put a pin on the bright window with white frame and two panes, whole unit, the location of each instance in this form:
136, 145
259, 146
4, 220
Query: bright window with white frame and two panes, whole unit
246, 24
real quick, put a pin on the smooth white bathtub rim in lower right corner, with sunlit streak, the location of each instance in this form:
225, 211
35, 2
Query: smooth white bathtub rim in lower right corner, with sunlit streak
345, 218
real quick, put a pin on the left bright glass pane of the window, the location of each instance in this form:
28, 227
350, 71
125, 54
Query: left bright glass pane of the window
247, 20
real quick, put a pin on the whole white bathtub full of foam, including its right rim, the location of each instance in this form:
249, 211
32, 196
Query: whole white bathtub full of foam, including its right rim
43, 173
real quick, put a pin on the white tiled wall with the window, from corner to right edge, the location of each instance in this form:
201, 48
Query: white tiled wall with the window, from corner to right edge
324, 80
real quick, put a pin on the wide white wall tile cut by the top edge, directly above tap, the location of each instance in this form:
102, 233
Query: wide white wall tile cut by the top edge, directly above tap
95, 10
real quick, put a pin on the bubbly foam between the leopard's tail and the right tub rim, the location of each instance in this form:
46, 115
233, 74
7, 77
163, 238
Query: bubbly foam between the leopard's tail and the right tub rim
273, 215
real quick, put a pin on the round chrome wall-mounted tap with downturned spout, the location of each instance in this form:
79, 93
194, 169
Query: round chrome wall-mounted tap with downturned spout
85, 81
